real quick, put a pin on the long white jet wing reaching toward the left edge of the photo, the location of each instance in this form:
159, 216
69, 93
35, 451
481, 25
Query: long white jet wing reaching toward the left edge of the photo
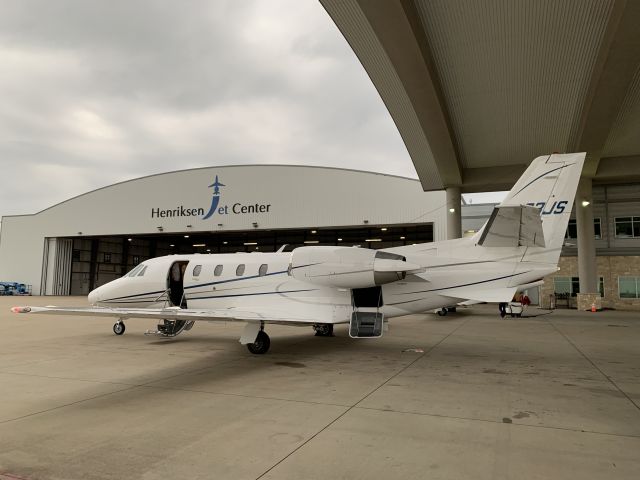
210, 315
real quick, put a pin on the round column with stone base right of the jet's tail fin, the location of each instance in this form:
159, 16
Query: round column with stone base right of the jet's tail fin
586, 246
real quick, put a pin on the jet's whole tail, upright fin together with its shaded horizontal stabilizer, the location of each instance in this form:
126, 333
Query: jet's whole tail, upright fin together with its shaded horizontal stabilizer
536, 211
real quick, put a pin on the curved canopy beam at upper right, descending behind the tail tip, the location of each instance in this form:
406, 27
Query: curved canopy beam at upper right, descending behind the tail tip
617, 61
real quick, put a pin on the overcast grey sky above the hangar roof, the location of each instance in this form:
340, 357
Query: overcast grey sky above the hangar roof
98, 92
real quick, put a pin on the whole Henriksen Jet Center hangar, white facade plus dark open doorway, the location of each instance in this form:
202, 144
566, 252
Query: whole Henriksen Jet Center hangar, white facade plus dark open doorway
89, 240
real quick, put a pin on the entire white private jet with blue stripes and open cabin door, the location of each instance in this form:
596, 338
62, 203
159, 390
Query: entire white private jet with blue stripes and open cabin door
321, 286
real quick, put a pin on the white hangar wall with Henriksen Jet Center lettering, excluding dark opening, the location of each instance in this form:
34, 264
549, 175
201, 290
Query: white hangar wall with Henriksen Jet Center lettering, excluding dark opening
271, 196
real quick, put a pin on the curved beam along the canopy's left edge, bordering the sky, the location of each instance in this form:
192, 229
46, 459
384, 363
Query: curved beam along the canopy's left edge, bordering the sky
396, 28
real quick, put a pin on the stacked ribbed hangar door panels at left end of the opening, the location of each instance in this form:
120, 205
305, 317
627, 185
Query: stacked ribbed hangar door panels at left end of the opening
56, 267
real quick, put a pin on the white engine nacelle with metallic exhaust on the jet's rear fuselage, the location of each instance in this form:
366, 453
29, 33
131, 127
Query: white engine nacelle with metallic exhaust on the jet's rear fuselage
347, 267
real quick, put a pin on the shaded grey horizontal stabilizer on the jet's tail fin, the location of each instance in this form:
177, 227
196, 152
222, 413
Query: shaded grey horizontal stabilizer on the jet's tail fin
513, 226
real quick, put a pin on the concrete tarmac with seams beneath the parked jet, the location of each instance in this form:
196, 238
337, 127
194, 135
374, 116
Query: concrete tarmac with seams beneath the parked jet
547, 397
